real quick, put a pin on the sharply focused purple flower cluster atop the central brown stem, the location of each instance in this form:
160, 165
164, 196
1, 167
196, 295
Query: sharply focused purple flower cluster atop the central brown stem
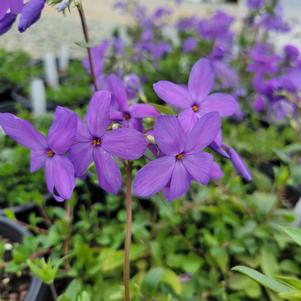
113, 129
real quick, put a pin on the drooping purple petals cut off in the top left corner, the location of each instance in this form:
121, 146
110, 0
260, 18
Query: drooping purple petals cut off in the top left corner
29, 12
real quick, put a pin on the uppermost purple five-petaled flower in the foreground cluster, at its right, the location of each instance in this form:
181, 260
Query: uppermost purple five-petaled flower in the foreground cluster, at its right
194, 99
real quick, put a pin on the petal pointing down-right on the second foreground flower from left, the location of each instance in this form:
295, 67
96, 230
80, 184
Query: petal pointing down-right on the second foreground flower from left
108, 172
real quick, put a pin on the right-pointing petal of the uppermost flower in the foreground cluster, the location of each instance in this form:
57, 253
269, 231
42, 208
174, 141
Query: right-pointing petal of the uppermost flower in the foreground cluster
224, 104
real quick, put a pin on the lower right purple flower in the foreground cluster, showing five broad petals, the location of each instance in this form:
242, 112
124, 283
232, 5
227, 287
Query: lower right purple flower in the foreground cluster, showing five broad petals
182, 157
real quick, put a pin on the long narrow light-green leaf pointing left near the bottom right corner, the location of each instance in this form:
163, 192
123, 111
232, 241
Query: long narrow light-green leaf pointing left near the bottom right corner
264, 280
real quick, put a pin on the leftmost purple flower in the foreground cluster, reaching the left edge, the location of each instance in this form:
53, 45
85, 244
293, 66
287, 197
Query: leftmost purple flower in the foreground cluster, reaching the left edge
48, 152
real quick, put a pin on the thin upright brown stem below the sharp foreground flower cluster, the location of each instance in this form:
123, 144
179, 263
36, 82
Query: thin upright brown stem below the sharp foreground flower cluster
128, 236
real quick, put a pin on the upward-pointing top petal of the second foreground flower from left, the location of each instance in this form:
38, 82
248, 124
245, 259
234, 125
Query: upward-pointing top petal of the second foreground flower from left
98, 117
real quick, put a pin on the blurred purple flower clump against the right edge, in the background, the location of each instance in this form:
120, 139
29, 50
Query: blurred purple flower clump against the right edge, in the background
276, 80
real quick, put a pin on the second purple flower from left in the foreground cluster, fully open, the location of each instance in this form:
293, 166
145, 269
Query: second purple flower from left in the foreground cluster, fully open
95, 143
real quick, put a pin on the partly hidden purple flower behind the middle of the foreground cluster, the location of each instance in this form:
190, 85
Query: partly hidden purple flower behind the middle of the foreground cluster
130, 115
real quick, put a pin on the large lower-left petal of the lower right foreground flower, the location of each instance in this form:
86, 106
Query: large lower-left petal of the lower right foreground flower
154, 176
